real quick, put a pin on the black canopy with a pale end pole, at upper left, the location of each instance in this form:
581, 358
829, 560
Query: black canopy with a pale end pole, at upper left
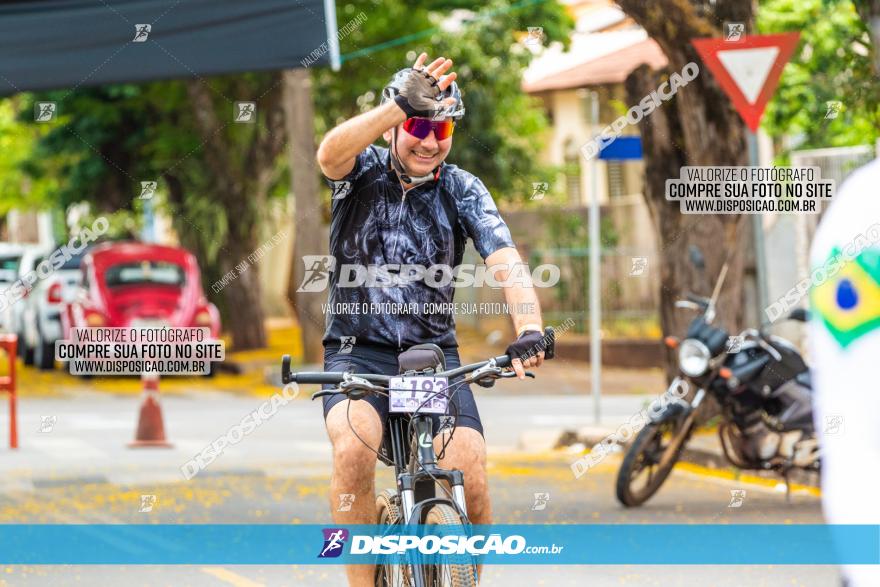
51, 44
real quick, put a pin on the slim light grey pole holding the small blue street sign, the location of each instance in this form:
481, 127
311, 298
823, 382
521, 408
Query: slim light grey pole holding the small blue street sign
595, 309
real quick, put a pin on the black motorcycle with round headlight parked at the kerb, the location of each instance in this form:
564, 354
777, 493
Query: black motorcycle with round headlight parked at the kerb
761, 384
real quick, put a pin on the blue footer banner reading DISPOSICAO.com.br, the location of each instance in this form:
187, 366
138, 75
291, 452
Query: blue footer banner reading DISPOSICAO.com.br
560, 544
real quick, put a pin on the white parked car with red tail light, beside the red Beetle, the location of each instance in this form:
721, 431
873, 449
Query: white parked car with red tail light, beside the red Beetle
41, 310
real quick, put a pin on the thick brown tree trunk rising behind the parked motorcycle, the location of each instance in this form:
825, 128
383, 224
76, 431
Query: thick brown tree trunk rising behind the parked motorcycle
697, 127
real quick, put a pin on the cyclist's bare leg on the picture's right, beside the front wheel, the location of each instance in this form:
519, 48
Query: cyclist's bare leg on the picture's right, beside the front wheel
467, 453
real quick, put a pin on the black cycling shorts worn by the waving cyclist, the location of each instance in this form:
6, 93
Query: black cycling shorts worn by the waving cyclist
383, 361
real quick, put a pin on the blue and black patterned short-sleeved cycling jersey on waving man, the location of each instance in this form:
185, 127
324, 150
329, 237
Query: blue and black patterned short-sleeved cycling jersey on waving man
374, 223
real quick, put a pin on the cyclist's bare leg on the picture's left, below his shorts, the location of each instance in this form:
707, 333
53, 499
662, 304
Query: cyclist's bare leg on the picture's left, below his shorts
354, 470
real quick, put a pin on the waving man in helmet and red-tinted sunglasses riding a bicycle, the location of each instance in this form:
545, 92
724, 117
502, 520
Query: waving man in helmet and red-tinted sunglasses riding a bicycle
404, 206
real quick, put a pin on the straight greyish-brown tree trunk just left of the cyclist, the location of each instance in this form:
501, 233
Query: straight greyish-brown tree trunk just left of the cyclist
307, 238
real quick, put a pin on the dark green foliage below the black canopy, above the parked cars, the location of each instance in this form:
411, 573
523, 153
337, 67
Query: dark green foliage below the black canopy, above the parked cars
108, 139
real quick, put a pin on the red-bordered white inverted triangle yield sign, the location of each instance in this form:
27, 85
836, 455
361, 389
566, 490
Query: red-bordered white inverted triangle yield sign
748, 69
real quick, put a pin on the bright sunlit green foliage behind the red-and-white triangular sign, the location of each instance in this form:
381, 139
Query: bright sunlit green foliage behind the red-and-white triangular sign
832, 65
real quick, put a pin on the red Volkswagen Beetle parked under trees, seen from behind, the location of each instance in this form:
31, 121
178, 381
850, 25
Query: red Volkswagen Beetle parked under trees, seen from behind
137, 284
